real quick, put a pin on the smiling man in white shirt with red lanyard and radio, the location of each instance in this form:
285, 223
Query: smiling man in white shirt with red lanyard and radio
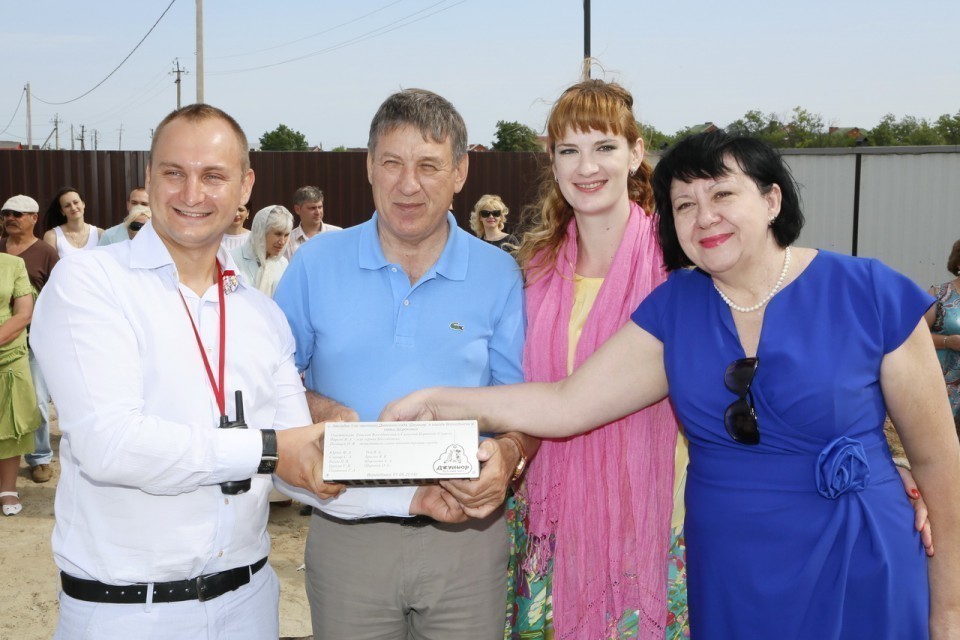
144, 345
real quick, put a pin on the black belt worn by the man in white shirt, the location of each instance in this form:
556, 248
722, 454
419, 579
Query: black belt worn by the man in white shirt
208, 587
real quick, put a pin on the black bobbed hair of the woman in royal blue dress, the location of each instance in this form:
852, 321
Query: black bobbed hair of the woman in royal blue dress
707, 156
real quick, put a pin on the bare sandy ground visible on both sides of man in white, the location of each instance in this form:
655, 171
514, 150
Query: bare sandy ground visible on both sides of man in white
28, 576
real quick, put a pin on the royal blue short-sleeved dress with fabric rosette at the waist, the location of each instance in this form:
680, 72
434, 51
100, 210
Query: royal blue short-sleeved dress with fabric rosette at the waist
809, 534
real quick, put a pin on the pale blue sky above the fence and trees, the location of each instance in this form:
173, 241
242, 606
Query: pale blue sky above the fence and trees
686, 61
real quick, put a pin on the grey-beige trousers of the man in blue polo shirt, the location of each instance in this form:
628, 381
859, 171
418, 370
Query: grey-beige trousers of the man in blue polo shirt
385, 581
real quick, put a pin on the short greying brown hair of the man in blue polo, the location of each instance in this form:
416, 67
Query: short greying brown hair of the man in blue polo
432, 115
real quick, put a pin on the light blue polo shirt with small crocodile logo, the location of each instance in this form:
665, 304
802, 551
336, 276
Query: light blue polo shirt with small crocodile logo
366, 336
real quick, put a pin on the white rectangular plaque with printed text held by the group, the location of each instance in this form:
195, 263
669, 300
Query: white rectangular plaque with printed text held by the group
386, 453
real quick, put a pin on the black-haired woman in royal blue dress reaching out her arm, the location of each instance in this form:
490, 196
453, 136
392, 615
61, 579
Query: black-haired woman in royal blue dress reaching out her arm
780, 362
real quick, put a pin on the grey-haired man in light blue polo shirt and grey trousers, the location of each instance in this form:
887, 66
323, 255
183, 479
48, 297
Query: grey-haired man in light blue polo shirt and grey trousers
405, 301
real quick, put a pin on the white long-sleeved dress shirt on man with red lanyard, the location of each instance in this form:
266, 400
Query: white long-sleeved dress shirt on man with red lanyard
139, 497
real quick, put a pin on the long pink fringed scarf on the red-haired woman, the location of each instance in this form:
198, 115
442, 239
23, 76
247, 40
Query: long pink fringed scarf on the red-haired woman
605, 497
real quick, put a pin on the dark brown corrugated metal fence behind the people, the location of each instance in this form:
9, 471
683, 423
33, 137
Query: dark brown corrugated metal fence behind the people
104, 178
